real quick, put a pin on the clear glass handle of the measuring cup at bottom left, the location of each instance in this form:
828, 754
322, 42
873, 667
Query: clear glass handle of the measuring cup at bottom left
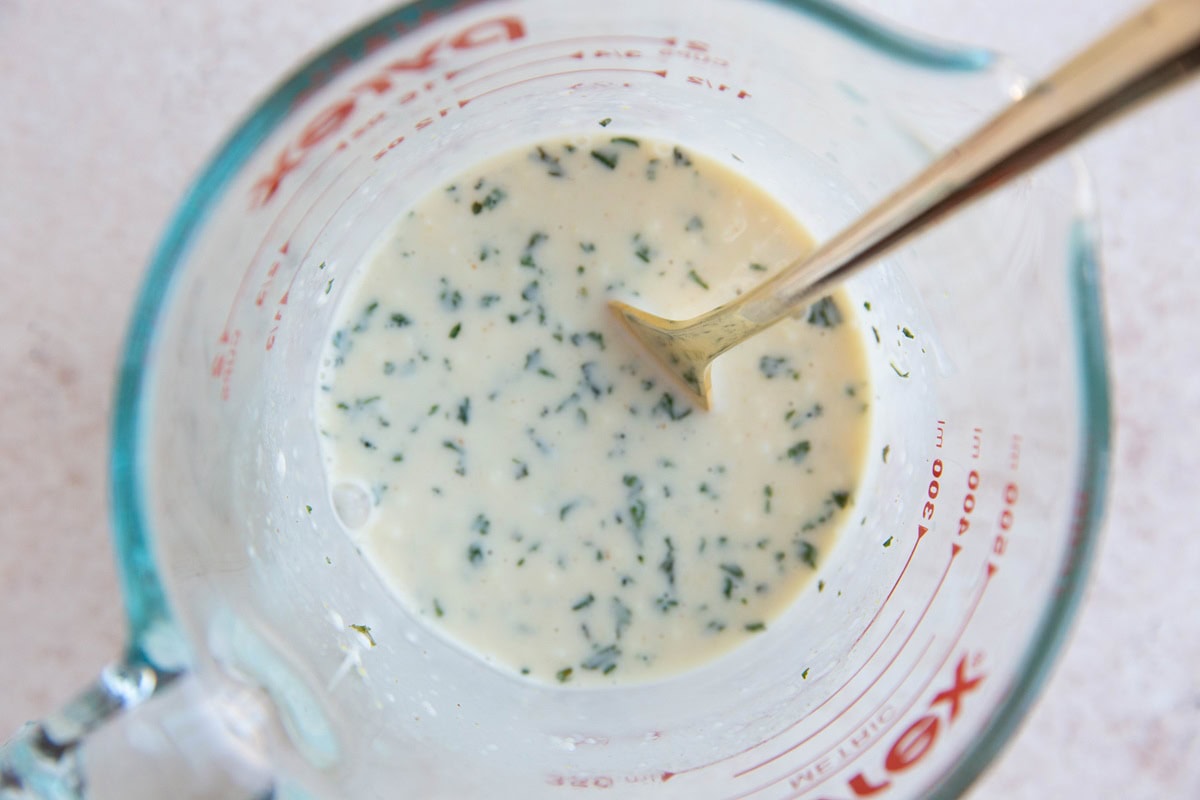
140, 735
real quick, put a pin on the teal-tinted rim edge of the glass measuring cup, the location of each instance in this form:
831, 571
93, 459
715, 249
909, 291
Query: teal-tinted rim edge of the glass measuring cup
151, 618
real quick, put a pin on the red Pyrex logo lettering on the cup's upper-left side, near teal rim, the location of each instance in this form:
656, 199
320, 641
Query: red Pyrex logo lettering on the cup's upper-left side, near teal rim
334, 118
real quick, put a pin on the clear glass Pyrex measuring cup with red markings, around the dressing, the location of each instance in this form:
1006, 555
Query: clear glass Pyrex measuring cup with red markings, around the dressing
251, 671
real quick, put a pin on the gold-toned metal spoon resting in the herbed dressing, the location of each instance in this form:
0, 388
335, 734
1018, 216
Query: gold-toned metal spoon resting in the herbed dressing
1157, 49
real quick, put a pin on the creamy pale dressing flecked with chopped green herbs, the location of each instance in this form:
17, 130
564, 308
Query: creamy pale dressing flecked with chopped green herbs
539, 492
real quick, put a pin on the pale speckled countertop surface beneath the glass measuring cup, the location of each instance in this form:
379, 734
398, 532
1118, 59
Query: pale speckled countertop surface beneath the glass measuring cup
107, 110
